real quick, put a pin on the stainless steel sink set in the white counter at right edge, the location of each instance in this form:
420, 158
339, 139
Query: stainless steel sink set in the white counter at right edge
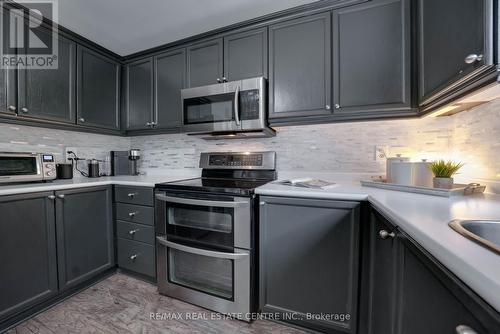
484, 232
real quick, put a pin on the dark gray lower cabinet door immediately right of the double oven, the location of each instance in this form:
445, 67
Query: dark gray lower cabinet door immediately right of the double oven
309, 260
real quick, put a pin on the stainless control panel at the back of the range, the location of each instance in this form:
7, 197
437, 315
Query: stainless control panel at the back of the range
238, 160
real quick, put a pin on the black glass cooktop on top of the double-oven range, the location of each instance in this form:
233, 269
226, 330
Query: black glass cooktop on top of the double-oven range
216, 185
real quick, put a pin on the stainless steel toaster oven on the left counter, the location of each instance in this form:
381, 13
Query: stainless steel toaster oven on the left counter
26, 167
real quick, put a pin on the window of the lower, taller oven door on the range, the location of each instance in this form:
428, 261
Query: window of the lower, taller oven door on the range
203, 273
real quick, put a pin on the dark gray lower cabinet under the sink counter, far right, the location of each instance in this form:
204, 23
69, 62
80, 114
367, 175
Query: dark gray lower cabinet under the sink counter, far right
410, 292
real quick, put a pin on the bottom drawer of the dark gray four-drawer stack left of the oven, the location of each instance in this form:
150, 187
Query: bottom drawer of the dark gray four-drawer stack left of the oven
136, 256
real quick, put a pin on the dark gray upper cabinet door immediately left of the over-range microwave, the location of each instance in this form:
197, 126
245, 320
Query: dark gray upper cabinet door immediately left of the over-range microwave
170, 72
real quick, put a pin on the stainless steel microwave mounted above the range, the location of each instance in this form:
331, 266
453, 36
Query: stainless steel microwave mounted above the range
227, 110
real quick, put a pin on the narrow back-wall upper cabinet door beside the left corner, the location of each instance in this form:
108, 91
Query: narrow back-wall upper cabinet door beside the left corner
139, 94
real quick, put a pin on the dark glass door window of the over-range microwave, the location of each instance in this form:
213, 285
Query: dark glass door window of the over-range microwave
210, 109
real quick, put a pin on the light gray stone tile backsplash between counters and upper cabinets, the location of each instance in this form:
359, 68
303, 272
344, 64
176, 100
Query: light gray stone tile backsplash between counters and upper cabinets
472, 137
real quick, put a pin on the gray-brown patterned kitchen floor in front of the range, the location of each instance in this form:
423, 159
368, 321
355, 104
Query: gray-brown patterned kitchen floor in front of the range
122, 304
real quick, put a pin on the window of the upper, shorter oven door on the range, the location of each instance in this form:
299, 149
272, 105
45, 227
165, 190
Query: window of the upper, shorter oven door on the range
200, 217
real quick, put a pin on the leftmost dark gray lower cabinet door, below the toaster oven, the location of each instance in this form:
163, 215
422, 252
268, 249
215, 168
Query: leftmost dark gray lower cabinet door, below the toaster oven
28, 256
